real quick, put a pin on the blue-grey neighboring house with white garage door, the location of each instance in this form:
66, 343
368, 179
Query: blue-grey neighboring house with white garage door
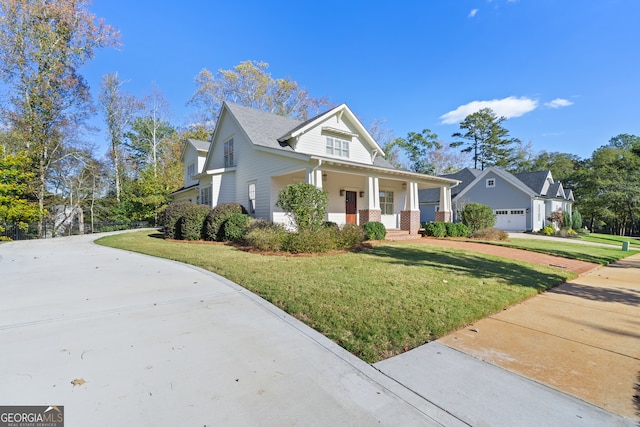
521, 202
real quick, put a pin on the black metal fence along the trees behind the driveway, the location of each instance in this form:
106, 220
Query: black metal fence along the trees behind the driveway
13, 232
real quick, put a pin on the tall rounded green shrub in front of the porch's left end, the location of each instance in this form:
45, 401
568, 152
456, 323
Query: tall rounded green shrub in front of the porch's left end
305, 204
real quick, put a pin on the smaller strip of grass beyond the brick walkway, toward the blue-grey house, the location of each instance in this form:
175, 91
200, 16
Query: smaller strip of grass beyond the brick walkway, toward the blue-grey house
596, 254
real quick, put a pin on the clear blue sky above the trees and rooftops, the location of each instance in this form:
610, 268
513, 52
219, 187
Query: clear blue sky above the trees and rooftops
563, 72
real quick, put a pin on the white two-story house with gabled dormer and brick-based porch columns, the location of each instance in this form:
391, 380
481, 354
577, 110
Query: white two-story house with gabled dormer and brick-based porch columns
253, 155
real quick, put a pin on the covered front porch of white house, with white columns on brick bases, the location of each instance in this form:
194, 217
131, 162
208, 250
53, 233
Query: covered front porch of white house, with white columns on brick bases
361, 193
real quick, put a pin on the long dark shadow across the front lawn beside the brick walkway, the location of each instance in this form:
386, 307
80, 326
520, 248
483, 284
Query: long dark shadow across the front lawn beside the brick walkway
511, 272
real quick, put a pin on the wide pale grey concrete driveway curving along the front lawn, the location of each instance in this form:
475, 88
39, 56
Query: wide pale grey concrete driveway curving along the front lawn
125, 339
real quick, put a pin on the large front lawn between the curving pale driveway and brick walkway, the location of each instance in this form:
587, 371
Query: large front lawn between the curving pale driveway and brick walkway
376, 303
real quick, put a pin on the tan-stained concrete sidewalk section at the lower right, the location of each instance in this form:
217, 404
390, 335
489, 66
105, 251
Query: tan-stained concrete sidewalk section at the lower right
582, 337
